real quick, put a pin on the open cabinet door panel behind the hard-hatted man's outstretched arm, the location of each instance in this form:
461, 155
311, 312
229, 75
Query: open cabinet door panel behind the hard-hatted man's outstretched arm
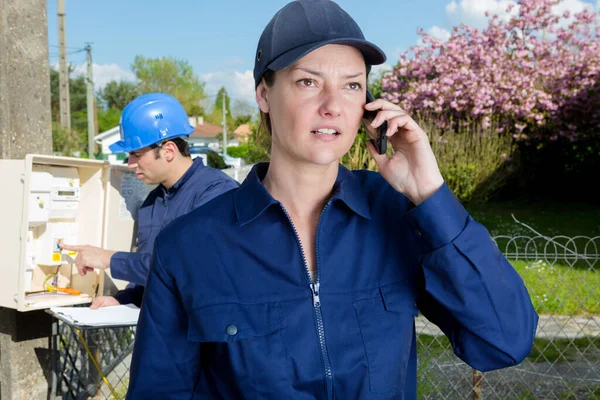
124, 196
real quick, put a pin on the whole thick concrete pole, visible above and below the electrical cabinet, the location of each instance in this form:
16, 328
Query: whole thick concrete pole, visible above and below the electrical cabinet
25, 127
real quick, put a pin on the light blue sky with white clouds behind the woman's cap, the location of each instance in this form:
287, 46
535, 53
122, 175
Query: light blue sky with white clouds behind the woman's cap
219, 38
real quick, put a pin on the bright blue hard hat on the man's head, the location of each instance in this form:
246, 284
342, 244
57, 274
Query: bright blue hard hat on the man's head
150, 119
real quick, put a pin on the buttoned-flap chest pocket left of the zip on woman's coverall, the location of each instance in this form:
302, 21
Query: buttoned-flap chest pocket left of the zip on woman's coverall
242, 345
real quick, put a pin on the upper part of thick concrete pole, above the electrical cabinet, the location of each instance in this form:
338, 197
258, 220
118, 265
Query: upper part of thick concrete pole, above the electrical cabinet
25, 121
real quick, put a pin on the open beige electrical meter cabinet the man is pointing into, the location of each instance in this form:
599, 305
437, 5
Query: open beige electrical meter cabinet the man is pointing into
49, 201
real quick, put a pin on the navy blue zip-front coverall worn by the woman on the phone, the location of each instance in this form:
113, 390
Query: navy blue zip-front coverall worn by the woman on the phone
231, 311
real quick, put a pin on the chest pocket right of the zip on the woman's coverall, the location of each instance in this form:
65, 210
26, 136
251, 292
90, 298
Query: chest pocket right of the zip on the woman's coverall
387, 328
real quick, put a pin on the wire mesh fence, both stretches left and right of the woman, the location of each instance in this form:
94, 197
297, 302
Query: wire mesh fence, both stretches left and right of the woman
561, 274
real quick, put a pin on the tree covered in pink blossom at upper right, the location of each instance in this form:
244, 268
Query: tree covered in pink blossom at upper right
536, 76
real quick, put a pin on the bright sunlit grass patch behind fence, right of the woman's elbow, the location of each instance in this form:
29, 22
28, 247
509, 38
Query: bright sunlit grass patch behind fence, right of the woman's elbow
561, 289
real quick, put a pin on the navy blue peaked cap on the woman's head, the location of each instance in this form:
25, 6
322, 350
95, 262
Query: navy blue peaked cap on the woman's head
303, 26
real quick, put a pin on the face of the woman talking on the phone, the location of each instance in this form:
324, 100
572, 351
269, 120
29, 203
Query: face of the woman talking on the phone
316, 105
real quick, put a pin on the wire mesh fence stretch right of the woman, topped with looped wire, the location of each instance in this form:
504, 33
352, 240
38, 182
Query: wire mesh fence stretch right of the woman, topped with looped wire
561, 274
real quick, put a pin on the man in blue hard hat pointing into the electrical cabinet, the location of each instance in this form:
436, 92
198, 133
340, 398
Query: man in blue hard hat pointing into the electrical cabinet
154, 130
